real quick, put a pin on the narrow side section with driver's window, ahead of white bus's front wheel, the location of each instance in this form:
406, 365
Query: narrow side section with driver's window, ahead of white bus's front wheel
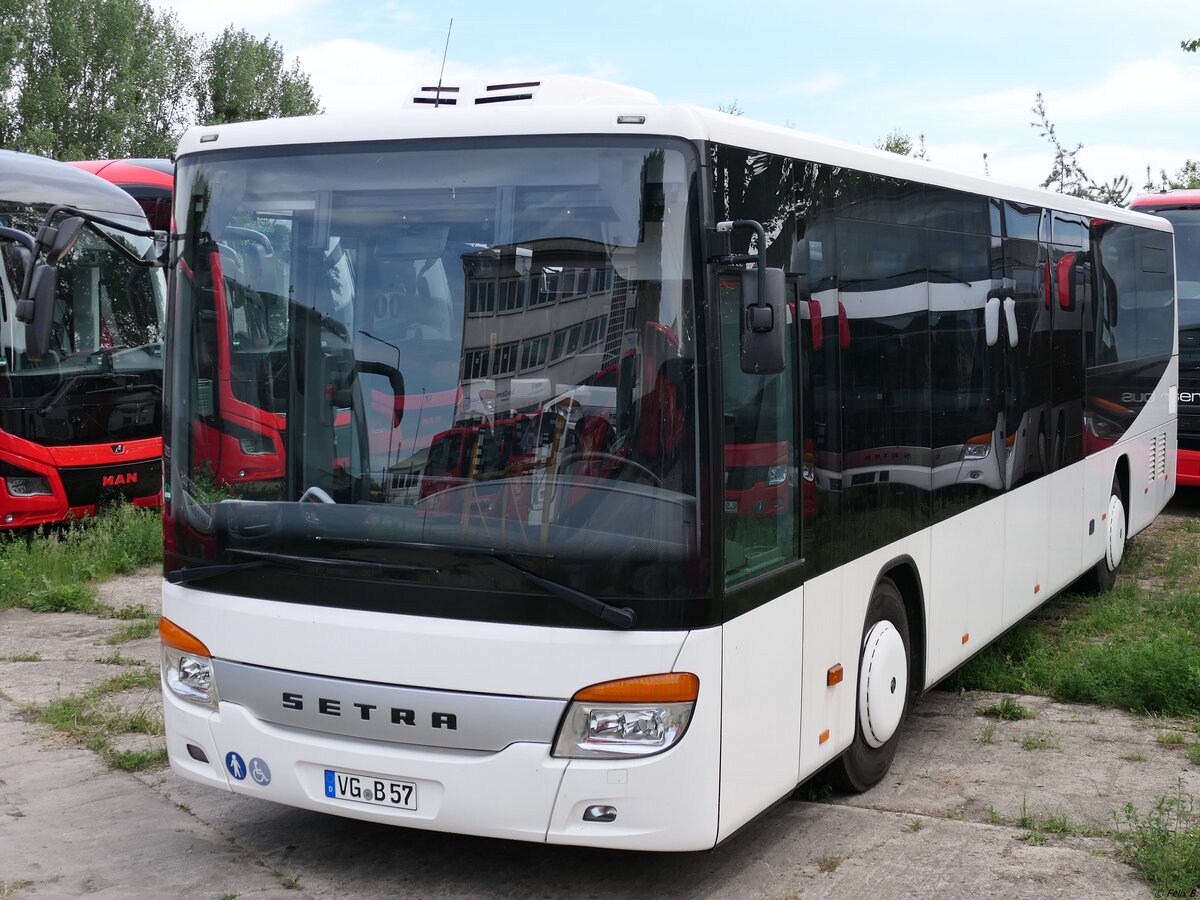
761, 641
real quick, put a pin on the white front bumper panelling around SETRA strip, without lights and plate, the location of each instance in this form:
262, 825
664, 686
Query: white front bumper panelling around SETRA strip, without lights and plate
665, 802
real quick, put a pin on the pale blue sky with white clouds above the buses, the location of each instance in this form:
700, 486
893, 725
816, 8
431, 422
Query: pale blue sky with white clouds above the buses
963, 74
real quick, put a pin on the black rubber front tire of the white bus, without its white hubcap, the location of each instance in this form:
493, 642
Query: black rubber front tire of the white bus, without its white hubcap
863, 765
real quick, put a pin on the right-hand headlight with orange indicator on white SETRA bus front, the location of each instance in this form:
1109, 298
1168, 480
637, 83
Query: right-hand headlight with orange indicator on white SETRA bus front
632, 717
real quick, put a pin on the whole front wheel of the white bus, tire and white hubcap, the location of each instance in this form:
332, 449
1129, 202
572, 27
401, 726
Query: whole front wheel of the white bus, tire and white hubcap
883, 693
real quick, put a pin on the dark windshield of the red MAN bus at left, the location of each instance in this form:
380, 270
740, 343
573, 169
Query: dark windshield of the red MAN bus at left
103, 377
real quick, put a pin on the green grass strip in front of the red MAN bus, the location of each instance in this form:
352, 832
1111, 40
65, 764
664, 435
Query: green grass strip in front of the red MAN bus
55, 571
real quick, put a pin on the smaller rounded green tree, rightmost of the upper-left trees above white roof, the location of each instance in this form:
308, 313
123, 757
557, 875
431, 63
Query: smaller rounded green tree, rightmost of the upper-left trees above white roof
242, 77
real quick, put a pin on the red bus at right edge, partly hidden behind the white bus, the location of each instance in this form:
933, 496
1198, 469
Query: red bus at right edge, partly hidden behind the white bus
1181, 208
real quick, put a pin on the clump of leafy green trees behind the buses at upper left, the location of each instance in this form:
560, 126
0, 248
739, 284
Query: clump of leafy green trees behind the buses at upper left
110, 79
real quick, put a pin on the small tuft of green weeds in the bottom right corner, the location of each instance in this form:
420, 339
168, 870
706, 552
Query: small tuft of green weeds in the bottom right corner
1165, 843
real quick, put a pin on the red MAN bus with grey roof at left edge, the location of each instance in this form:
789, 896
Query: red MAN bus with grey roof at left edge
81, 419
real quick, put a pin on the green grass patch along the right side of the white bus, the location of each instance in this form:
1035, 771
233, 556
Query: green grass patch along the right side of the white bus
1133, 649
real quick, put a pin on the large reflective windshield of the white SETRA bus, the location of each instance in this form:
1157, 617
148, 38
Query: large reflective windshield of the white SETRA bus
400, 352
